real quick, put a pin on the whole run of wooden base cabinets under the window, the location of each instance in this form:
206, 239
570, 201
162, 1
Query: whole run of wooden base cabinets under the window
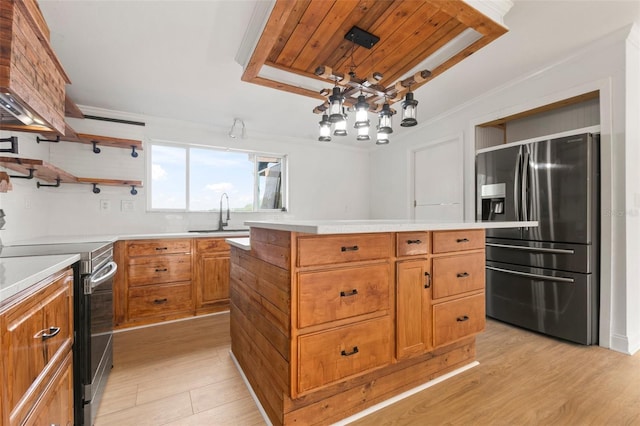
163, 279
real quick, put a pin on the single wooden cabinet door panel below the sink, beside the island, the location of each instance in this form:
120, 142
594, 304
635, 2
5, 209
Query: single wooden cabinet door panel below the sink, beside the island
213, 279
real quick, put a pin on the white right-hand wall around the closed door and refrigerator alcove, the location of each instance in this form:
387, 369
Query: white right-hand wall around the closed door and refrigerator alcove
609, 65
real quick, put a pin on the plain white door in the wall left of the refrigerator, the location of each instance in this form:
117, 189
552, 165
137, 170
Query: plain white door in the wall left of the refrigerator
438, 181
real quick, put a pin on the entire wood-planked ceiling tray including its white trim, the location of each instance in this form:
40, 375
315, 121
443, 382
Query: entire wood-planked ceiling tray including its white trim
300, 36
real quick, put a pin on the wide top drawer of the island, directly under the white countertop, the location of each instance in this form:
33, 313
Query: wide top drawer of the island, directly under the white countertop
343, 248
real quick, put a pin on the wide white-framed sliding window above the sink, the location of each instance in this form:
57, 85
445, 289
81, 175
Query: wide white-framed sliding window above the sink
194, 178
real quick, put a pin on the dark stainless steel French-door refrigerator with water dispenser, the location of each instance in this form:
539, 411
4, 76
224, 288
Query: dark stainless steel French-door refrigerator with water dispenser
543, 278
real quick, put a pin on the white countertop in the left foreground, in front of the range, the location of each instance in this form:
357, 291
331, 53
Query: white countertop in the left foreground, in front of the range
19, 273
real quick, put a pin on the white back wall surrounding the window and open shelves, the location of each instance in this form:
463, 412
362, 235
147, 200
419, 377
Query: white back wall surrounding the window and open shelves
325, 182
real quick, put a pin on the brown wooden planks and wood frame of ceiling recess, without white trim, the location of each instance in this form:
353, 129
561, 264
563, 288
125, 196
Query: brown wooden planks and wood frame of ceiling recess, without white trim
301, 35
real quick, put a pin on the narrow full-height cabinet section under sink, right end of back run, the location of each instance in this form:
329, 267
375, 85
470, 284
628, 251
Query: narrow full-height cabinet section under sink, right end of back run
212, 274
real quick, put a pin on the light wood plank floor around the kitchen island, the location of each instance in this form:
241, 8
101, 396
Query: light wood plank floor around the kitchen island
181, 374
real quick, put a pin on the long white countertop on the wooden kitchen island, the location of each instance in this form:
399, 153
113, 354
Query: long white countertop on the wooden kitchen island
366, 226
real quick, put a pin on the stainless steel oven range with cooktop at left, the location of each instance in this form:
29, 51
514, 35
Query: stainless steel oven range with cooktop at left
93, 318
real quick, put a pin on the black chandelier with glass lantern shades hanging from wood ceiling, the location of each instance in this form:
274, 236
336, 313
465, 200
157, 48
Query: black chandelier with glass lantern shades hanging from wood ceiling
371, 97
